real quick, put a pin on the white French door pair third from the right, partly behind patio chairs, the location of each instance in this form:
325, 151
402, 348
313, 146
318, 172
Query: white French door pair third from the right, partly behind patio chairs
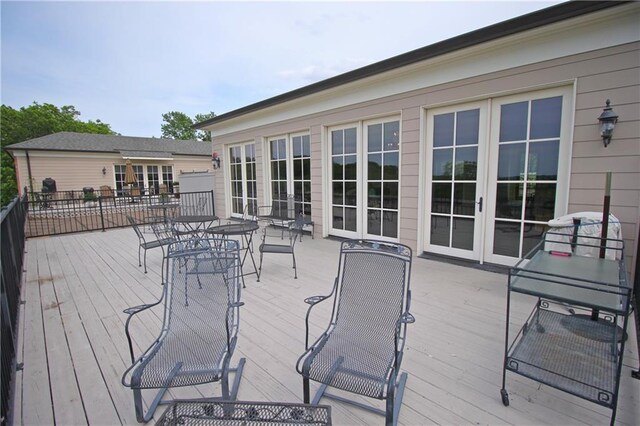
290, 168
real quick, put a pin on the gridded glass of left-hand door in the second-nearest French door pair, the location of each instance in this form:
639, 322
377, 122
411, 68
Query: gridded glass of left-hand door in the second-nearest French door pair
344, 182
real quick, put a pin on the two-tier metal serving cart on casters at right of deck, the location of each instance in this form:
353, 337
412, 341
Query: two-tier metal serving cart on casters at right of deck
580, 354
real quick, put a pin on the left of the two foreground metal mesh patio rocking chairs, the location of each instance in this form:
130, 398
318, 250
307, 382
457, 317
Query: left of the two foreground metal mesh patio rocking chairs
201, 305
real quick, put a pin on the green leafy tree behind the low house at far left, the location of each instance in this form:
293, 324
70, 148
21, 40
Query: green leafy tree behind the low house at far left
34, 121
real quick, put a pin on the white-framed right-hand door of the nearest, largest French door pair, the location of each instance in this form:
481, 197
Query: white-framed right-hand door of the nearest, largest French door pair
526, 189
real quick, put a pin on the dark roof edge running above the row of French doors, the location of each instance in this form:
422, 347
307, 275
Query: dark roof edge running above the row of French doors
550, 15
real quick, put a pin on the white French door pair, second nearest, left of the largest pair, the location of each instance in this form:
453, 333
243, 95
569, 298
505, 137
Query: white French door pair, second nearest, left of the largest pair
365, 180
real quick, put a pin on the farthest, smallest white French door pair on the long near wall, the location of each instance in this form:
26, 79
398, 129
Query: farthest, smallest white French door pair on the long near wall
242, 182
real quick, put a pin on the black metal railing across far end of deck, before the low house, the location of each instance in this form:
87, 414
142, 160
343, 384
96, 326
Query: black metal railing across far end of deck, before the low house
79, 211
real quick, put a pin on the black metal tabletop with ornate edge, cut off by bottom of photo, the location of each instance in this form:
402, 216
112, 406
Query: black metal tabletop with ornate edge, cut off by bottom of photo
203, 412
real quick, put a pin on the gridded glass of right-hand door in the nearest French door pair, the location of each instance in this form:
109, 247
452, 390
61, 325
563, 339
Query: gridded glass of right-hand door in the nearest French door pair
526, 184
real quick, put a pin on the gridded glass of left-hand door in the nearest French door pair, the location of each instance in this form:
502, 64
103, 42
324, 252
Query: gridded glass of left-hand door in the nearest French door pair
456, 195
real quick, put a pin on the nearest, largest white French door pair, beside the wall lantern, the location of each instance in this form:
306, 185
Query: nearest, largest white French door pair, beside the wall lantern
497, 173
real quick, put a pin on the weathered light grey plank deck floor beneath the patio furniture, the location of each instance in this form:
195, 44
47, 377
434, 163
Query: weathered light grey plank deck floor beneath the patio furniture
74, 349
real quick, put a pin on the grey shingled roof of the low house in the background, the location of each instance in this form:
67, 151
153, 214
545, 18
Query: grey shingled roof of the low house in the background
125, 145
